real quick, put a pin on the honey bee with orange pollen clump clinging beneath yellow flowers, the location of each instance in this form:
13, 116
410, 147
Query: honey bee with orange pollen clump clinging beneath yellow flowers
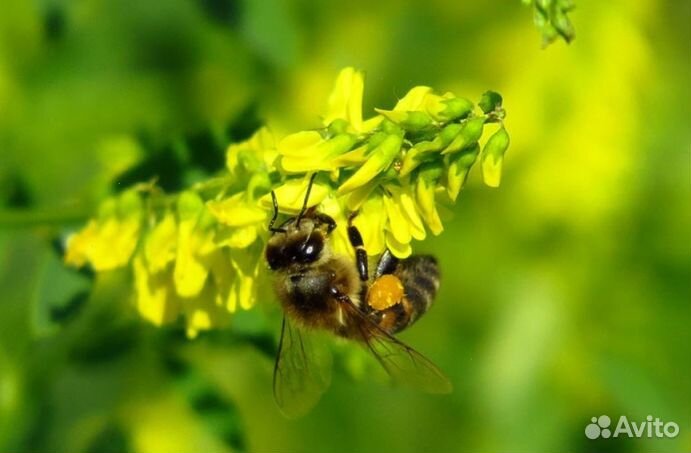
320, 290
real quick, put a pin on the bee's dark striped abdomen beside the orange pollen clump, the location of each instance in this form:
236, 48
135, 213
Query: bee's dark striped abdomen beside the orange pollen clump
419, 276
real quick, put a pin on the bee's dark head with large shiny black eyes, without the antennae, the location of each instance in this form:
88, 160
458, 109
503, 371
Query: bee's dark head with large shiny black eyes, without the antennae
301, 244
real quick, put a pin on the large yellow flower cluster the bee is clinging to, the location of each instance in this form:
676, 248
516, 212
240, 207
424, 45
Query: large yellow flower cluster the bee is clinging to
198, 254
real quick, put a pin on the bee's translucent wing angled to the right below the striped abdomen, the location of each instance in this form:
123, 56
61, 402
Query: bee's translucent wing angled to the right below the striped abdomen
403, 363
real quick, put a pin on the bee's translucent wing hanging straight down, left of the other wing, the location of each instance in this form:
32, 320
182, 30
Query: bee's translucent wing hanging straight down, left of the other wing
302, 371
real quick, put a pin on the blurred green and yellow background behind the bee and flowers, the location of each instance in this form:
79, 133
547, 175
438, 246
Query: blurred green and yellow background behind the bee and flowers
566, 292
